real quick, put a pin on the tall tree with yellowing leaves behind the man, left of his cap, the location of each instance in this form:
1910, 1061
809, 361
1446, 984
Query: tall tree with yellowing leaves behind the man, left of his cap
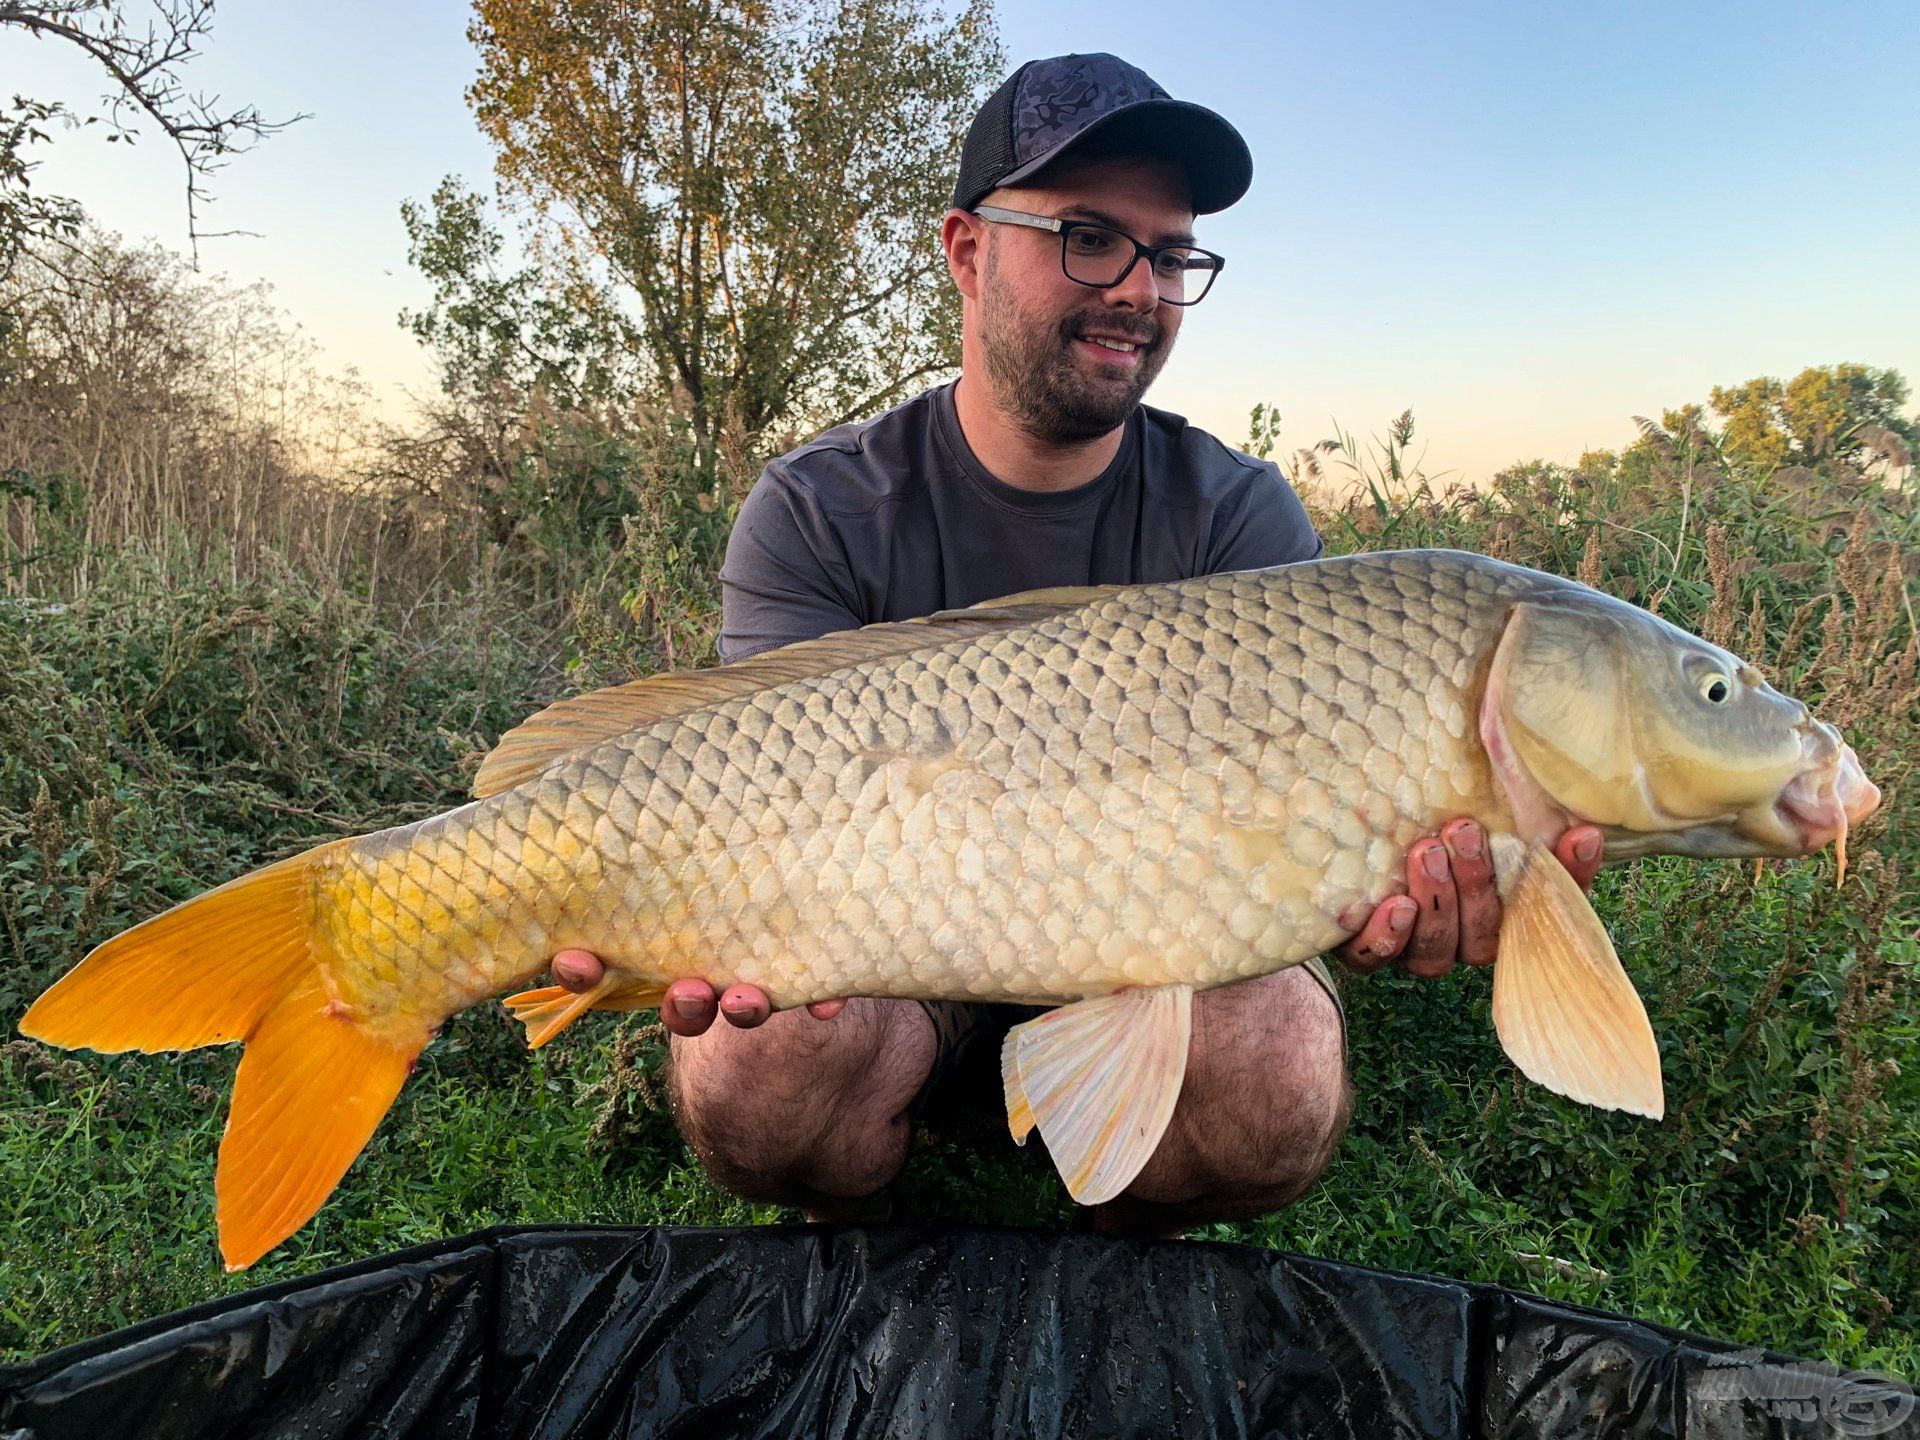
756, 180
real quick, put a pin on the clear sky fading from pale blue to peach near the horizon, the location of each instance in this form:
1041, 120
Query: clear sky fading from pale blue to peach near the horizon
1522, 222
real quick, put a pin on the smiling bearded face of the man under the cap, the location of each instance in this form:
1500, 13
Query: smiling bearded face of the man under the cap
1044, 333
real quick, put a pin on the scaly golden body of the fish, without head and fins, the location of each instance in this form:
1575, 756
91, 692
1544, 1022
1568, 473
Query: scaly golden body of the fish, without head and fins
1184, 782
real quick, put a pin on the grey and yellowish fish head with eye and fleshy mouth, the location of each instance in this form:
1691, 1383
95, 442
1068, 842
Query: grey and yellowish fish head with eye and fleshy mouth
1602, 713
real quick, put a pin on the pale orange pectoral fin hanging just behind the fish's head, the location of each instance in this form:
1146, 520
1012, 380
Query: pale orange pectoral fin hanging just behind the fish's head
1566, 1011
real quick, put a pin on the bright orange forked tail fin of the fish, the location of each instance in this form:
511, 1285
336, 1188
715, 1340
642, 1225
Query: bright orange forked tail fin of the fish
245, 965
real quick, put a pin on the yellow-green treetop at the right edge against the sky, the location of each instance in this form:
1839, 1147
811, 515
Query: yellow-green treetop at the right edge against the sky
1825, 416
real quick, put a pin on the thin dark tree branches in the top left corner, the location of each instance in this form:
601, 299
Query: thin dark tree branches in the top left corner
145, 72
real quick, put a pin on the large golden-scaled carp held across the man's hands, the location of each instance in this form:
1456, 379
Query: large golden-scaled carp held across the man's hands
1097, 798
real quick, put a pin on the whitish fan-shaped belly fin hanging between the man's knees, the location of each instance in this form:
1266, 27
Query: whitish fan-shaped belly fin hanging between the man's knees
1099, 1078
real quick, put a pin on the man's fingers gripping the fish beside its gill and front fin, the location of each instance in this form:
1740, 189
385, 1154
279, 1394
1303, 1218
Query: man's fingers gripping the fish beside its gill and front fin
1452, 909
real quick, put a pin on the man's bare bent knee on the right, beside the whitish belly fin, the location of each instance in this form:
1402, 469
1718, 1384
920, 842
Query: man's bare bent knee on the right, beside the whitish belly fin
1264, 1105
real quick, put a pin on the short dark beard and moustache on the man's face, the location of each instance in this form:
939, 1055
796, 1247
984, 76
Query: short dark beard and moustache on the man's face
1051, 391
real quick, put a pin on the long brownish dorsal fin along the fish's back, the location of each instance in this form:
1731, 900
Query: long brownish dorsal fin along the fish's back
587, 721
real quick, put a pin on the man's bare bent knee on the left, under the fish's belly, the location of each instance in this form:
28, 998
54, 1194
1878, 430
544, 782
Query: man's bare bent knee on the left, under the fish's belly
802, 1111
